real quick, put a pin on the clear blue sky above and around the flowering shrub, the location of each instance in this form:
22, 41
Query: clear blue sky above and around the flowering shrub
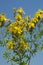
30, 7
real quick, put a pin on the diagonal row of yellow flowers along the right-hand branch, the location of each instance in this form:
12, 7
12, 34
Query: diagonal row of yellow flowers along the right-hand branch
35, 19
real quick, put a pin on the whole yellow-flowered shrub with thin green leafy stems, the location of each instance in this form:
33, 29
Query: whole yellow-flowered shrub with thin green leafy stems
23, 37
